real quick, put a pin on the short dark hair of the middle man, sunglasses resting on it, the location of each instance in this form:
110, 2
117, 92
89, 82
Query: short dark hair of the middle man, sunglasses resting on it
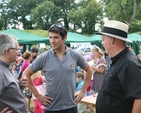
58, 28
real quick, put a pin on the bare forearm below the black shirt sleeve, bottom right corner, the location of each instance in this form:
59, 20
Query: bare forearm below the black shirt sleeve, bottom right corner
137, 106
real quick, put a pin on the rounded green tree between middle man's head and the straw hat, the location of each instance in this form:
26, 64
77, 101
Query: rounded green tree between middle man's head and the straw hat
86, 17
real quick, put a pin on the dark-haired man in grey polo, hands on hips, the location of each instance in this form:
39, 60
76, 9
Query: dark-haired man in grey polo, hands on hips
59, 66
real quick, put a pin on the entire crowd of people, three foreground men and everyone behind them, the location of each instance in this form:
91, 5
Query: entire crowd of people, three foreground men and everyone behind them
115, 75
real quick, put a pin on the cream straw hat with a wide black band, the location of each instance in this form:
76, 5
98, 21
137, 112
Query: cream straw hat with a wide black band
115, 29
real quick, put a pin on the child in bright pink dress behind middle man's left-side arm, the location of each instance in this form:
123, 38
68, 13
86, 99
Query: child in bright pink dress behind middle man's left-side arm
38, 81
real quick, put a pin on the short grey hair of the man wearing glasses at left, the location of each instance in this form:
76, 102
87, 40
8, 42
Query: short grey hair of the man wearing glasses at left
6, 41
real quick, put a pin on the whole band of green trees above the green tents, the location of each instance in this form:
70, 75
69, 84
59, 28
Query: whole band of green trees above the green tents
41, 14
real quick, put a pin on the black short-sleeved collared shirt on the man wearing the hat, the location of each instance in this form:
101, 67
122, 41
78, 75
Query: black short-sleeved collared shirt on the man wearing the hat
121, 85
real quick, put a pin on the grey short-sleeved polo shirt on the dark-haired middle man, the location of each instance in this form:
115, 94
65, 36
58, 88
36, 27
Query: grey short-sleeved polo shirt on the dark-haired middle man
60, 76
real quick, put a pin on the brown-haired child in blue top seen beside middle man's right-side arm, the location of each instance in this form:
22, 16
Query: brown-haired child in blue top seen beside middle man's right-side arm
80, 81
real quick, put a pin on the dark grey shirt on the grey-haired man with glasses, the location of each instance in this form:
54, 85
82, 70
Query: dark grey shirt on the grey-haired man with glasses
10, 92
